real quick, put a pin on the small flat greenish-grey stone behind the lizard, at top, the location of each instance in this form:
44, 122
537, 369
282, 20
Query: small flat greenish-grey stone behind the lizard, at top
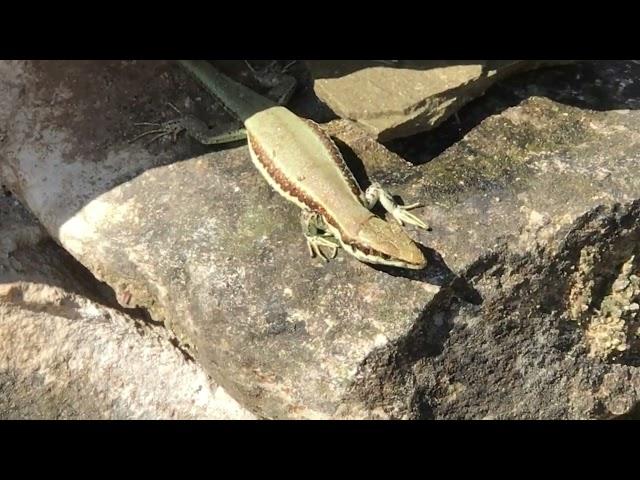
397, 98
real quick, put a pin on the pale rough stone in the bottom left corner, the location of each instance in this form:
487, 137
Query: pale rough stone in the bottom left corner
63, 356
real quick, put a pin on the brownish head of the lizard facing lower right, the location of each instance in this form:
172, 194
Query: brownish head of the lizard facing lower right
385, 243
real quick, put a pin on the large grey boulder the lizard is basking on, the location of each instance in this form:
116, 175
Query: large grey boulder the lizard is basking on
534, 212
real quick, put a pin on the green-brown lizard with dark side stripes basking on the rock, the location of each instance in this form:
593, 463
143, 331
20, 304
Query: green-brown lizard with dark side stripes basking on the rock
302, 163
